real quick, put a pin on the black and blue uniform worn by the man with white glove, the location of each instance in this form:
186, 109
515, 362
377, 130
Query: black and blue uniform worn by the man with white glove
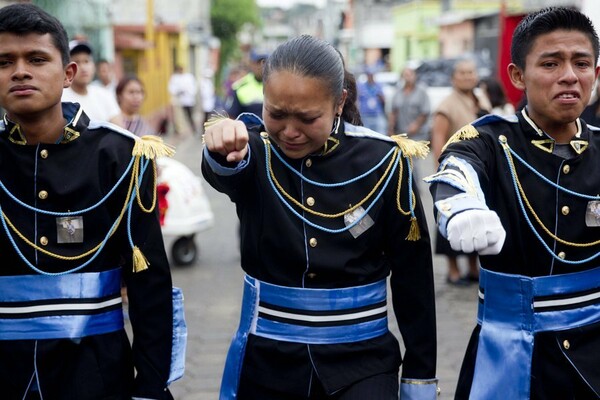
539, 308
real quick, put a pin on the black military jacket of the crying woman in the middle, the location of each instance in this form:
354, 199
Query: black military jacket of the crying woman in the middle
279, 248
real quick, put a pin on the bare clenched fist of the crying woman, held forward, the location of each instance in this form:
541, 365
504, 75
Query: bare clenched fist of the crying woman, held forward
228, 138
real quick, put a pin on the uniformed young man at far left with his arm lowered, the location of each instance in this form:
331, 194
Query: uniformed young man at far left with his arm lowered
78, 219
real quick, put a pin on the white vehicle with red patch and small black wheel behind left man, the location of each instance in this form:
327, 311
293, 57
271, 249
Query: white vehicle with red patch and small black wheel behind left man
184, 210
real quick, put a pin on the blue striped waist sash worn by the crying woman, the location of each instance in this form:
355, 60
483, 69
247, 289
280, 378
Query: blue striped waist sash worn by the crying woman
311, 316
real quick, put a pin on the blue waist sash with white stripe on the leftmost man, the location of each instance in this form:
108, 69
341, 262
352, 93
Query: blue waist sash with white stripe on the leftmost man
59, 307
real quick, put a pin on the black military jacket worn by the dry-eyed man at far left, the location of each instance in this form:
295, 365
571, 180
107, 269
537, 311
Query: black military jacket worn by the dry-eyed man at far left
72, 175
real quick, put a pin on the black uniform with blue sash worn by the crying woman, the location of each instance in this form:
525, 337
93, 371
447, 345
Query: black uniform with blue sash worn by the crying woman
317, 257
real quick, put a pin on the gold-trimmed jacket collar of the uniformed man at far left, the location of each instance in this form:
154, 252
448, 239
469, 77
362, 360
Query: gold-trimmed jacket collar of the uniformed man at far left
72, 112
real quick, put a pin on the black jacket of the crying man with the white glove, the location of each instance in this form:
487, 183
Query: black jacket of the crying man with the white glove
561, 212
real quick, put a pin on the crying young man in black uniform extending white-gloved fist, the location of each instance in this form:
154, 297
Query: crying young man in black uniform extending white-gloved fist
523, 192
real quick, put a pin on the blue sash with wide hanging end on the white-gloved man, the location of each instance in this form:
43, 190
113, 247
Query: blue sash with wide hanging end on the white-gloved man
512, 309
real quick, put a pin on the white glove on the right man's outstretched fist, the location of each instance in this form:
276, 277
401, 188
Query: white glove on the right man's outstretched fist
476, 230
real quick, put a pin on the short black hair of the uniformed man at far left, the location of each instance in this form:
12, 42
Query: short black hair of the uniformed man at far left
25, 18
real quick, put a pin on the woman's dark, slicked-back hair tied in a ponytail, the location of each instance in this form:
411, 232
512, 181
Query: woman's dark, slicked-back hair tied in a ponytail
310, 57
